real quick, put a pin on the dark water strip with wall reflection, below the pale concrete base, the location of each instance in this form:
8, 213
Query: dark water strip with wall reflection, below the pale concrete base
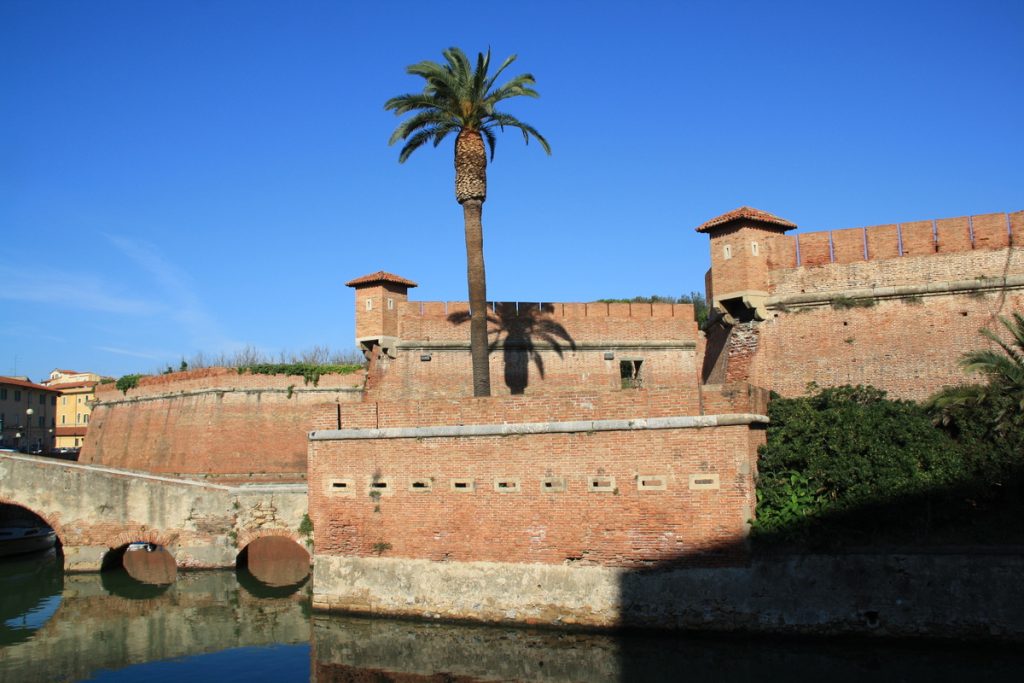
354, 649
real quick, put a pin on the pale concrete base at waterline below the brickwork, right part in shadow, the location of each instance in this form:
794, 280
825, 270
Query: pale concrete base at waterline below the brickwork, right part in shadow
940, 596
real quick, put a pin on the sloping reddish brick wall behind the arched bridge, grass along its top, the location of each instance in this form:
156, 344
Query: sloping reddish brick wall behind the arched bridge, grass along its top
214, 422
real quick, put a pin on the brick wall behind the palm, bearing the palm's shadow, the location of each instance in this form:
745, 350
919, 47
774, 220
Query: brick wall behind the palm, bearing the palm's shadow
539, 349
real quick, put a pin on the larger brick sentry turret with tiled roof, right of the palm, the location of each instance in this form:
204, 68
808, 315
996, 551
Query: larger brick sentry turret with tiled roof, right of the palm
741, 245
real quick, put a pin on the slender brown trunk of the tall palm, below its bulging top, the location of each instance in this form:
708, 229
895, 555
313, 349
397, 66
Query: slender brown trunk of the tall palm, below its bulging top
473, 214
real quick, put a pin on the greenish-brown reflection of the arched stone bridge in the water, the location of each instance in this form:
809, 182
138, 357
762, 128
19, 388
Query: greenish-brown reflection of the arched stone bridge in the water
110, 621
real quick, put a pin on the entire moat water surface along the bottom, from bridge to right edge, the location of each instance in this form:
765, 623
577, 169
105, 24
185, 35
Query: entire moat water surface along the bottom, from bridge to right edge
224, 626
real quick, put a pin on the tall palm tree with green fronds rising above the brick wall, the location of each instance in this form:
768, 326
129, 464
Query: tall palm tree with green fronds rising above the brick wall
459, 99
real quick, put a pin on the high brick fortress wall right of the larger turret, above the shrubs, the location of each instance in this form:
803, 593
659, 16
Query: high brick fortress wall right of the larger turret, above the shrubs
890, 306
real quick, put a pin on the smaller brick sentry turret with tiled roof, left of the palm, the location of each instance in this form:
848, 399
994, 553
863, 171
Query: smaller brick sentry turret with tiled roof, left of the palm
379, 298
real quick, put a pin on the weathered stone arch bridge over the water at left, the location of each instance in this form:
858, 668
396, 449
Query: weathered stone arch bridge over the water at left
98, 509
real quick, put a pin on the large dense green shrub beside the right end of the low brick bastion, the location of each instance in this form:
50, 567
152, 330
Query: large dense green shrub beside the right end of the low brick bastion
847, 450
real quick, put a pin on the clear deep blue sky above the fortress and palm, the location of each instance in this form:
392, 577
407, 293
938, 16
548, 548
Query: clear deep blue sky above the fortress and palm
202, 176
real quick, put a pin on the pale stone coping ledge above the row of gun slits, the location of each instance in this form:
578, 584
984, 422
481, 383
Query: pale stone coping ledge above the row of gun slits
575, 426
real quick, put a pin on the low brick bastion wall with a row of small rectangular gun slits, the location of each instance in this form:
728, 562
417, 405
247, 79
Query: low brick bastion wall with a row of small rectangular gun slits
585, 492
